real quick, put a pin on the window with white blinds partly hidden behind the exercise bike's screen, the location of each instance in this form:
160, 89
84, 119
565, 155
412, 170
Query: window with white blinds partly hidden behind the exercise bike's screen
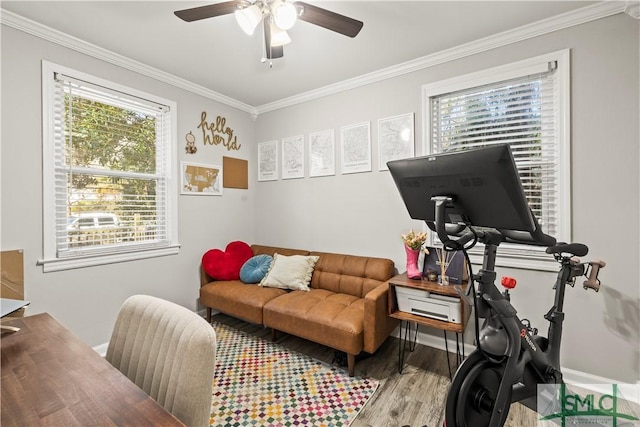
526, 105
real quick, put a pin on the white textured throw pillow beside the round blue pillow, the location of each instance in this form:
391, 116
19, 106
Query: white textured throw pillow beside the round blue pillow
290, 272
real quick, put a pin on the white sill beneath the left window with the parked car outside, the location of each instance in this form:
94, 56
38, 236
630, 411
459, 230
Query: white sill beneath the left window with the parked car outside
60, 264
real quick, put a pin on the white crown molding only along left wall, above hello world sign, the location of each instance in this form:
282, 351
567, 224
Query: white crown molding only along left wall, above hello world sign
47, 33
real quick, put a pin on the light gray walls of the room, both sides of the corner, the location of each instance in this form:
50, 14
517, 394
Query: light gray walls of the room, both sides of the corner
359, 213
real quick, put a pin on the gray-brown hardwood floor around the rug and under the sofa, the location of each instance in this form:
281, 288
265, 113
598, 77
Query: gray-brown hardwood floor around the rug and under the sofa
414, 398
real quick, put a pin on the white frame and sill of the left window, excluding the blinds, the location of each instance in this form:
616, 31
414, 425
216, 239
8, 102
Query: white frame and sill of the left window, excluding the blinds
51, 261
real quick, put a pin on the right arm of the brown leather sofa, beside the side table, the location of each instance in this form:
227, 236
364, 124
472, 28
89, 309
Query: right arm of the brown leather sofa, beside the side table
377, 323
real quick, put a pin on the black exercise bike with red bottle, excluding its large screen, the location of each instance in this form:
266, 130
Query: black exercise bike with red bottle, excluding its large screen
511, 359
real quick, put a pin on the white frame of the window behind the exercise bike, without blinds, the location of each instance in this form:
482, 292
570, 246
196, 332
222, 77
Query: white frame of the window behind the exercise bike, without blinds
511, 255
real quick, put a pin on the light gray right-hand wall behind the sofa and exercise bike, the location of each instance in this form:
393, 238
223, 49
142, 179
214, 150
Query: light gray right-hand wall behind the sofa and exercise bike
363, 213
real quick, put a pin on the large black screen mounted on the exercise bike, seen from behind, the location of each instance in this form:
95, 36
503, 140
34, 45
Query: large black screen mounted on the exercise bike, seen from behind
483, 183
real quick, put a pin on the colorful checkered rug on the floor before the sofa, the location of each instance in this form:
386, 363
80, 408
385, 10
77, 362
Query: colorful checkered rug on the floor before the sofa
259, 383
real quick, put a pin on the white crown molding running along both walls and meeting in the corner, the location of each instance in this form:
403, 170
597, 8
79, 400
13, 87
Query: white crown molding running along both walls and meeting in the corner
559, 22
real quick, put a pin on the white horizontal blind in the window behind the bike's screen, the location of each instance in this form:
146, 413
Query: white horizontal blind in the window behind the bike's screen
519, 112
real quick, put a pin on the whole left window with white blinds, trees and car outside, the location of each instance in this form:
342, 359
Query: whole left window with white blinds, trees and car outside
108, 185
